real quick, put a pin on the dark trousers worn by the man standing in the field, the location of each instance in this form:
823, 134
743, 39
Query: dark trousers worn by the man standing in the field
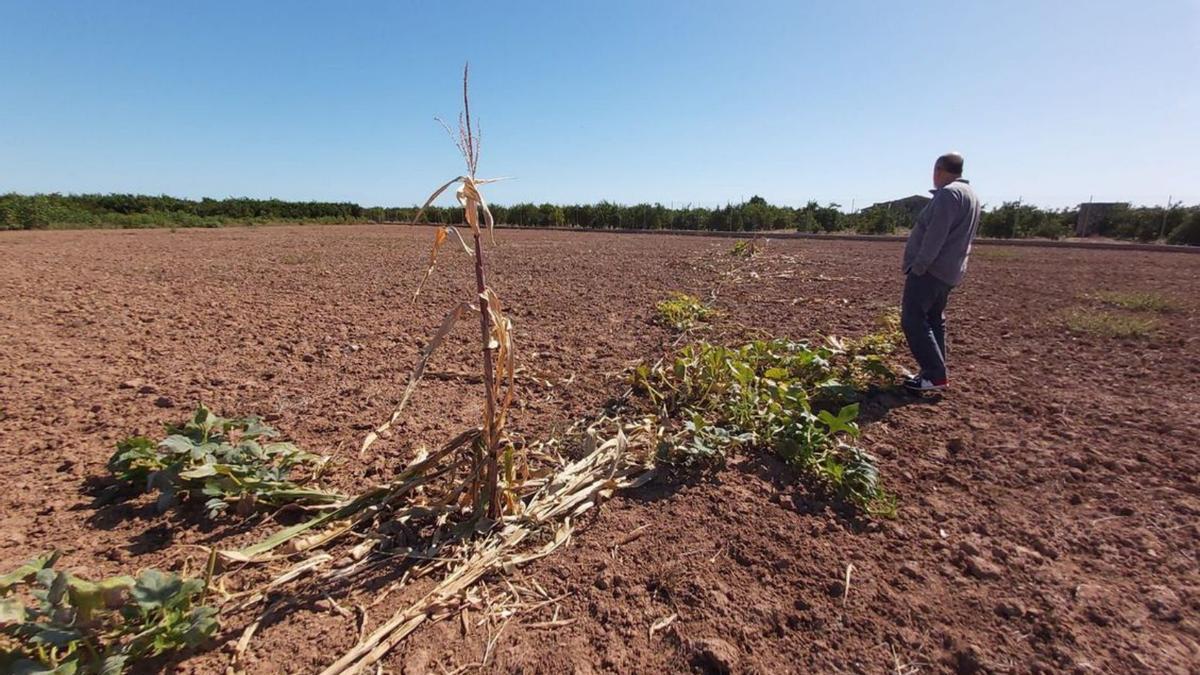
923, 320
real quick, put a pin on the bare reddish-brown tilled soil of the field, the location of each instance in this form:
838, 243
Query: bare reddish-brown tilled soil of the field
1048, 504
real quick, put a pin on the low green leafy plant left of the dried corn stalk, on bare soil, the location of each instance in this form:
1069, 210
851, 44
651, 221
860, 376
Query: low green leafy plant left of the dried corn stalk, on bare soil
230, 461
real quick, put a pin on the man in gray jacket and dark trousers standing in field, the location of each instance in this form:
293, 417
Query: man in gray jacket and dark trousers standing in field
935, 260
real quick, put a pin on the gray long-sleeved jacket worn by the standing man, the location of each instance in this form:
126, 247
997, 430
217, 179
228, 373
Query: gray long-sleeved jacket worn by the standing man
941, 238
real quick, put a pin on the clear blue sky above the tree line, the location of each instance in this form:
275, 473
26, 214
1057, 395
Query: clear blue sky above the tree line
675, 103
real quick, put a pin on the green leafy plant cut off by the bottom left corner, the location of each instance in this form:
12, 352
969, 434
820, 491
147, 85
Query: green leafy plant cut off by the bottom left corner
55, 623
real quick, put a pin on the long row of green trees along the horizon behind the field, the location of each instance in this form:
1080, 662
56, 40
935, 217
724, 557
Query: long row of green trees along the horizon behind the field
1177, 225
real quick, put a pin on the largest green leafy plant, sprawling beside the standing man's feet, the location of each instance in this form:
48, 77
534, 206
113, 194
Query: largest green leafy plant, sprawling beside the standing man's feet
791, 398
